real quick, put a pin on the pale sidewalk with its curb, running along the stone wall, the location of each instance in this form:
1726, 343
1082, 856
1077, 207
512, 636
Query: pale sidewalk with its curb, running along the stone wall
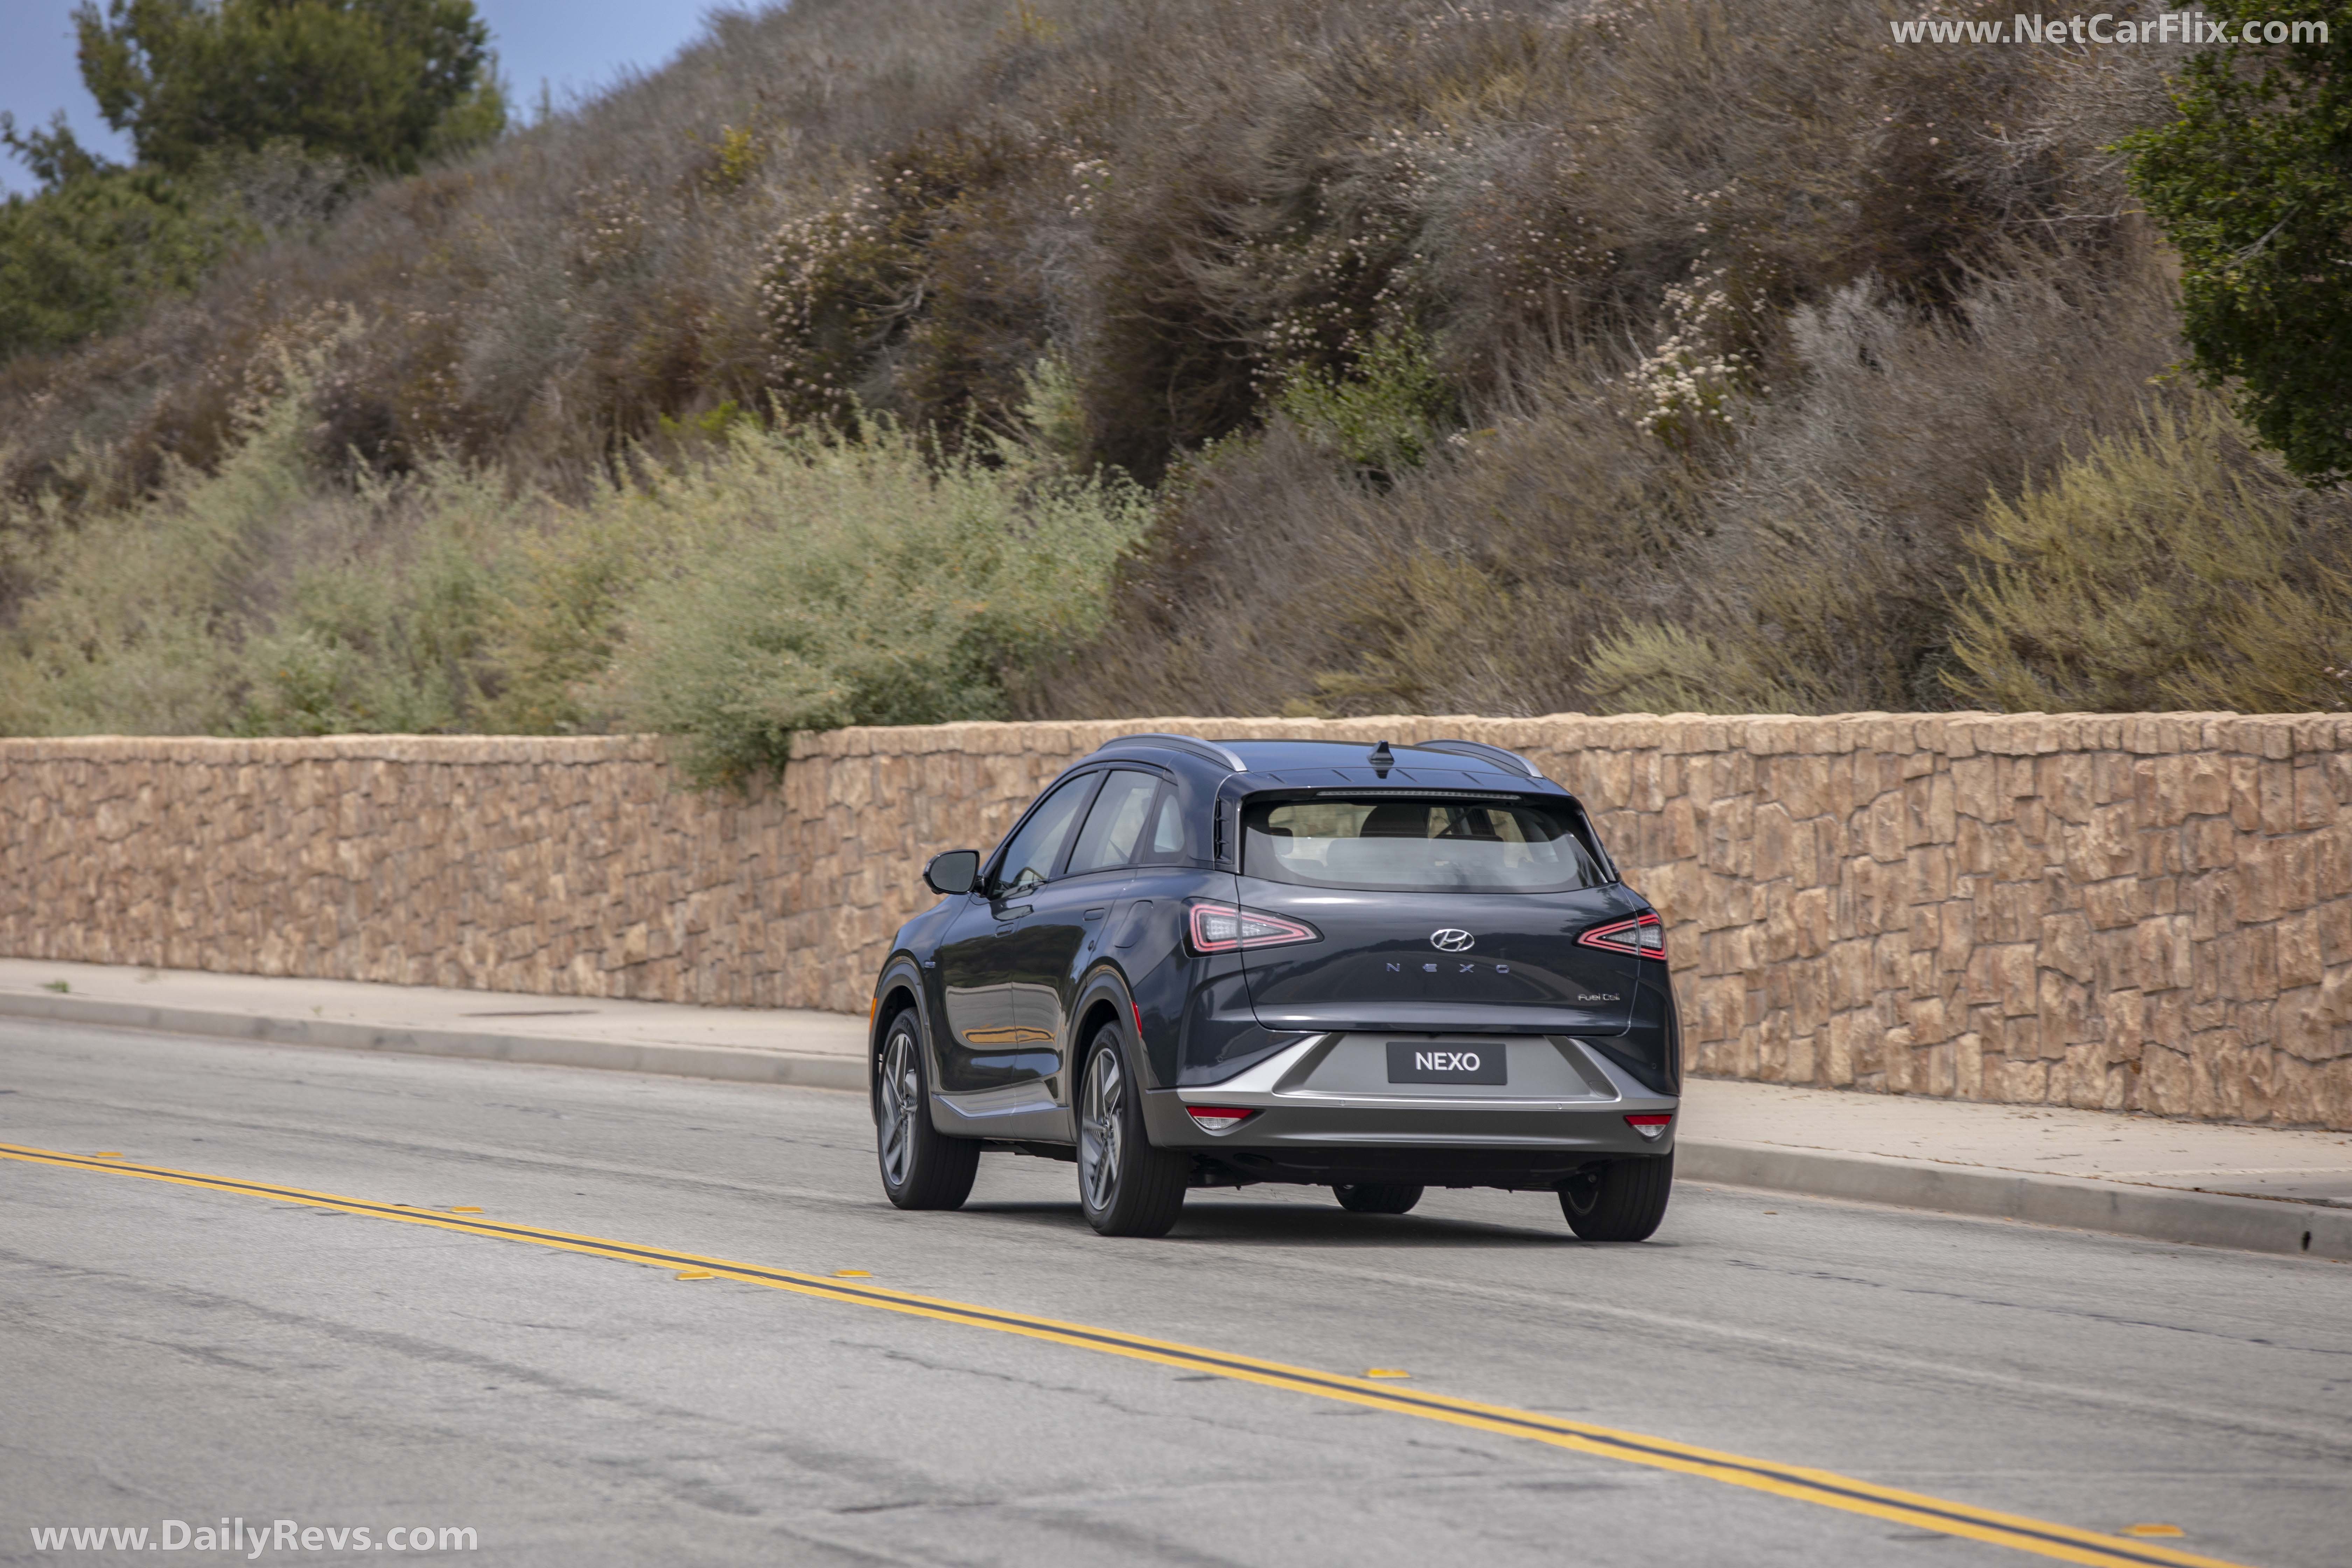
2170, 1181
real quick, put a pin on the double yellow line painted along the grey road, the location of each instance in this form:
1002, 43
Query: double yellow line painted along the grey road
1819, 1487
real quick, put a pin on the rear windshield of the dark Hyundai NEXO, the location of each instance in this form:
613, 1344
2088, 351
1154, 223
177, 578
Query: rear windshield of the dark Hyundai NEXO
1417, 845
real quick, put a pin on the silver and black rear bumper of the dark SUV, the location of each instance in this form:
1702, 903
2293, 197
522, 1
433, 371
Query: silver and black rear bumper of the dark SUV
1321, 1118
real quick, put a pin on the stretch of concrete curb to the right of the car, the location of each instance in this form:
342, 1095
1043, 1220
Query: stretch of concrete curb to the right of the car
2158, 1214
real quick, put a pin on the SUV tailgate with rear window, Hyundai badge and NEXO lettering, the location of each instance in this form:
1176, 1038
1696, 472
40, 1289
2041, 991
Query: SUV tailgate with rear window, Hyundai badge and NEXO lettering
1434, 911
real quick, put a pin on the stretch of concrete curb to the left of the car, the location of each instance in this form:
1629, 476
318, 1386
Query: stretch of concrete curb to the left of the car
542, 1050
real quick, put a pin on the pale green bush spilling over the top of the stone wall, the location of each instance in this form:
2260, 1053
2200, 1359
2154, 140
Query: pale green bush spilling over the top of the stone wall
808, 582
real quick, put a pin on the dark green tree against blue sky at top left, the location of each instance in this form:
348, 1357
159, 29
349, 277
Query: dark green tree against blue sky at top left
377, 83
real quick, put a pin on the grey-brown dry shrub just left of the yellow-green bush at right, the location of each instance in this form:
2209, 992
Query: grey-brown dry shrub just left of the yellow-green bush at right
1833, 535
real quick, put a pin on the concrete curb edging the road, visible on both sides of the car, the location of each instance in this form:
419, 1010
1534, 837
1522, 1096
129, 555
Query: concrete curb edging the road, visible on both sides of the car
2156, 1214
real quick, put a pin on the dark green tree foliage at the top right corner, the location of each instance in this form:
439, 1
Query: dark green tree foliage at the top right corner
2254, 189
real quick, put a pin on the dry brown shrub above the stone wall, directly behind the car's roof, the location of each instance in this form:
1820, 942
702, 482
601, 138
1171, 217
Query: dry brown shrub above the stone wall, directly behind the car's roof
1283, 579
